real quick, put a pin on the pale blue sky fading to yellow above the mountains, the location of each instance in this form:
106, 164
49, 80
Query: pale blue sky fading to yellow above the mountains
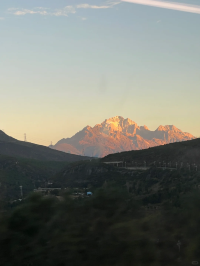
66, 64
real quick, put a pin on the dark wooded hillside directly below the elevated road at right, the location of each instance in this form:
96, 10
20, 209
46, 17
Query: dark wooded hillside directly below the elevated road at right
153, 186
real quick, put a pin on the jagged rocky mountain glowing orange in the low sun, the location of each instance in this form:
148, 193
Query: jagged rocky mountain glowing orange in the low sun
117, 134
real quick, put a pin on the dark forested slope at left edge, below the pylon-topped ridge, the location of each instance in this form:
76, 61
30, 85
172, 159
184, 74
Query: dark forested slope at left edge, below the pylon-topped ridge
29, 173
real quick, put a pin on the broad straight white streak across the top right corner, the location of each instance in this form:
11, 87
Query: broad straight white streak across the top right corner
168, 5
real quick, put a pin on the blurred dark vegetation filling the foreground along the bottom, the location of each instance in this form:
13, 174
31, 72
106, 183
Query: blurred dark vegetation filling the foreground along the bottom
109, 228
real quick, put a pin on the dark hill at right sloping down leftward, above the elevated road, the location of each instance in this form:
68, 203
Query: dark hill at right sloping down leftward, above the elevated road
186, 152
